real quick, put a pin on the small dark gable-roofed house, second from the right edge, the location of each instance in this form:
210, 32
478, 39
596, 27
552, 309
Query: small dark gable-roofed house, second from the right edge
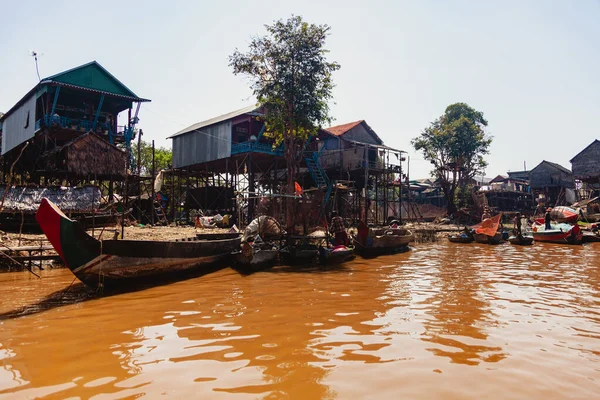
552, 184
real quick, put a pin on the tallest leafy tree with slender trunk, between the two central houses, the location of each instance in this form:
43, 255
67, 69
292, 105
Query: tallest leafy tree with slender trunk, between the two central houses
292, 80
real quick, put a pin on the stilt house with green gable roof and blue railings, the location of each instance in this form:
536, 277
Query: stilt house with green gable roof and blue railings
58, 110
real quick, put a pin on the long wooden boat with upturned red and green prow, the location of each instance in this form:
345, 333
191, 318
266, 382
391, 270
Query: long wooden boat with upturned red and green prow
99, 263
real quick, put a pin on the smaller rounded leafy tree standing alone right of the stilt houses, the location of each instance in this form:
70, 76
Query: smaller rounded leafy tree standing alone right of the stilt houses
455, 144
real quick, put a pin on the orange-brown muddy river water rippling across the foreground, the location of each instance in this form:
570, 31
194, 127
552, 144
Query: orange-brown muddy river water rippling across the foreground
442, 321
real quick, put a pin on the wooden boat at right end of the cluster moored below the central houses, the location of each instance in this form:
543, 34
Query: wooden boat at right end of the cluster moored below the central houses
375, 242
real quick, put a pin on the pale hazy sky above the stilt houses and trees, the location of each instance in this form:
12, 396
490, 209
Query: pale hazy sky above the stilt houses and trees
531, 66
